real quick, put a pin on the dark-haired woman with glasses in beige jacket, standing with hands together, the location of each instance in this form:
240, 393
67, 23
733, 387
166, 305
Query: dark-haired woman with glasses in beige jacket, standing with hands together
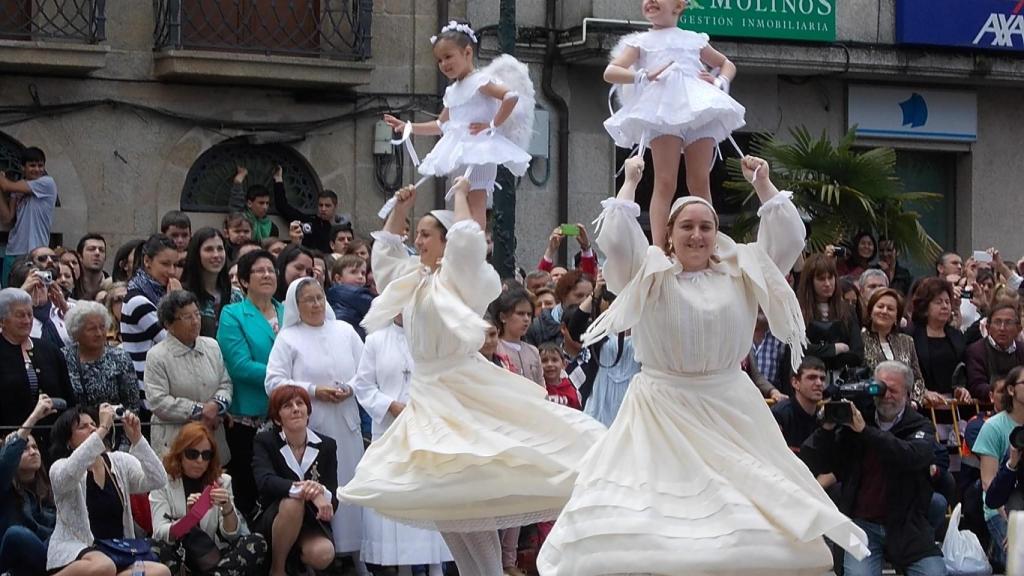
186, 379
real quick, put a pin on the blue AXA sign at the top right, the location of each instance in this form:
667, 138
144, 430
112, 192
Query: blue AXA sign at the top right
990, 25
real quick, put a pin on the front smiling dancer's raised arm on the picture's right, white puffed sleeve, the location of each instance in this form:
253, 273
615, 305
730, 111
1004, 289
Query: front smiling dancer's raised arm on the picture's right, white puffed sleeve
782, 232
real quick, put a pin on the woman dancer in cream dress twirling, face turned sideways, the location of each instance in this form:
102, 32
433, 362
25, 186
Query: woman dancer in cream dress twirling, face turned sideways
477, 448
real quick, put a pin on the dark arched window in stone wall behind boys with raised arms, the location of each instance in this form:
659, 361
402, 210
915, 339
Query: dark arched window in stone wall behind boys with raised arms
208, 186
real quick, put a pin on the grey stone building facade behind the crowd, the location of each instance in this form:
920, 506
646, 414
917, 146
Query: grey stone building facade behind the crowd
126, 106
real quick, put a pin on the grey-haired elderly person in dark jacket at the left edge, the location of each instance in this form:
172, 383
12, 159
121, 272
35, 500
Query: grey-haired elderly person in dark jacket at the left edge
28, 366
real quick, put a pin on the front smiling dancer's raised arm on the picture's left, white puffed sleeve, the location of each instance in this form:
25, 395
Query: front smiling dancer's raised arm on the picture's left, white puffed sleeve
620, 235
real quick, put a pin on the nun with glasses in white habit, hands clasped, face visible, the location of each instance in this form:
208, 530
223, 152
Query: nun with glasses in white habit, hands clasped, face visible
321, 355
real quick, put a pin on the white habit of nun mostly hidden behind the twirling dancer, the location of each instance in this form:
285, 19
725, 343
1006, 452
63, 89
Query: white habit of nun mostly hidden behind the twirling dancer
382, 389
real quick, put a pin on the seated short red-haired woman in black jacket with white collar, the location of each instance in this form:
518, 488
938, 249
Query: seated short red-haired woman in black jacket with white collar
296, 473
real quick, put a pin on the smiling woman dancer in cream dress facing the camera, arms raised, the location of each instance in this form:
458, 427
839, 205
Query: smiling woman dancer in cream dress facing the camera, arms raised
695, 477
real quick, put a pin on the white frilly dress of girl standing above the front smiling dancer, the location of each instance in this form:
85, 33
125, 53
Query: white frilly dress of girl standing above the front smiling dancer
678, 104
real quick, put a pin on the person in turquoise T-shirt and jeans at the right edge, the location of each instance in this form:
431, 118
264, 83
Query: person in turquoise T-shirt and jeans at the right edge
1001, 472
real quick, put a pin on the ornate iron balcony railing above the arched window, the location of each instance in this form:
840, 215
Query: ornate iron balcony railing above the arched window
332, 29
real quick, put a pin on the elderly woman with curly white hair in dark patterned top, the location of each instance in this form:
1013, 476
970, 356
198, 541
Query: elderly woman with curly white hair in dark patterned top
99, 373
